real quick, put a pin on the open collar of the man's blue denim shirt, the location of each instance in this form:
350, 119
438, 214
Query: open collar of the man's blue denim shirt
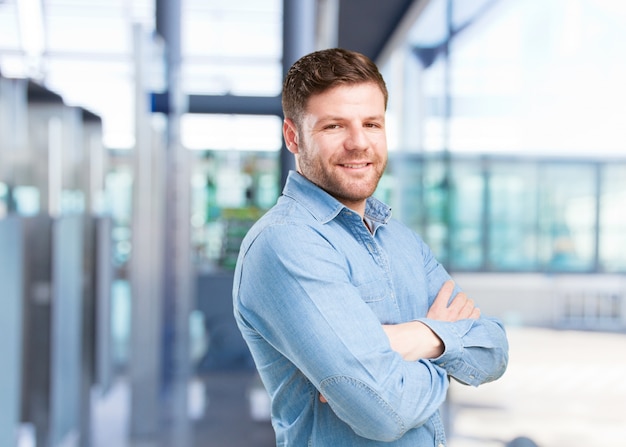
325, 207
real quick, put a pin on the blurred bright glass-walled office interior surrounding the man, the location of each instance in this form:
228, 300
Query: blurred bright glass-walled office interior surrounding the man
139, 140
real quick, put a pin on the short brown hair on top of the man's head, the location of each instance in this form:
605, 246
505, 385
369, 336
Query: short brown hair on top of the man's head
322, 70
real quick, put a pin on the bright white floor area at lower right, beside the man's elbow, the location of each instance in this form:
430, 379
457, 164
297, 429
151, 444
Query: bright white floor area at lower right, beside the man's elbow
562, 389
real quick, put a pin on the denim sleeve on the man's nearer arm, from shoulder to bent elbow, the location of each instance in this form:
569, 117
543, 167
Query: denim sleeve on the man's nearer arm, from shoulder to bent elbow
295, 291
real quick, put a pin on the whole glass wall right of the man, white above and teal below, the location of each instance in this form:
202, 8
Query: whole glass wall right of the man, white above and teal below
506, 133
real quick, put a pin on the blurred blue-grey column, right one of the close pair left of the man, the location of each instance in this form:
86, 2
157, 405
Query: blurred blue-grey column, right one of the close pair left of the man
177, 269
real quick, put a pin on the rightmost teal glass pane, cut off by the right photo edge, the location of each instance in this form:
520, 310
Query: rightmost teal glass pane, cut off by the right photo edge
613, 219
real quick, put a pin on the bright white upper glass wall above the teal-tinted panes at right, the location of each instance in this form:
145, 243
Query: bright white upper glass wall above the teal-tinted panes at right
499, 76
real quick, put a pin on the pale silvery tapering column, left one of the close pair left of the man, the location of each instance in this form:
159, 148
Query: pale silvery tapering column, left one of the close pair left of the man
145, 263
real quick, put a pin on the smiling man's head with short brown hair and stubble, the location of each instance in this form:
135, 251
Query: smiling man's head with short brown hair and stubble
335, 102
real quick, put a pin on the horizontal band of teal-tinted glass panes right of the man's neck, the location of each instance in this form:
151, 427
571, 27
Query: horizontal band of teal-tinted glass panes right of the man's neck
503, 214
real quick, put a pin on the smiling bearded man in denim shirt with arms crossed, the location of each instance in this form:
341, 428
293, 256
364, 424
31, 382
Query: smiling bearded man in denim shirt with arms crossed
353, 325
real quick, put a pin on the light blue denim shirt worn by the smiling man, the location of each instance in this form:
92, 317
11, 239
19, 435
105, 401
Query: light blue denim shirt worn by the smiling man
312, 287
